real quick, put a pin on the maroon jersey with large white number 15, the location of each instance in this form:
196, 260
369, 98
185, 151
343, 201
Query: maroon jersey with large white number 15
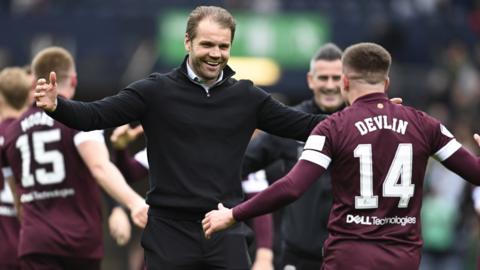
59, 196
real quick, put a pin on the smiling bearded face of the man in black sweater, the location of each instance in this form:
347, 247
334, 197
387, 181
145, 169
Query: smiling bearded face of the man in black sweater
209, 50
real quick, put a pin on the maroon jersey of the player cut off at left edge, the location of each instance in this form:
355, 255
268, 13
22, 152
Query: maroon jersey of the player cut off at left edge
9, 225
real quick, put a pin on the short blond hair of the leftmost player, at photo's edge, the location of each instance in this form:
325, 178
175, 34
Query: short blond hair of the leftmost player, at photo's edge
15, 86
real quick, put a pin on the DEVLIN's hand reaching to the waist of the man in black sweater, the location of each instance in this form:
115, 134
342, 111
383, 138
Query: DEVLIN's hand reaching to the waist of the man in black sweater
217, 220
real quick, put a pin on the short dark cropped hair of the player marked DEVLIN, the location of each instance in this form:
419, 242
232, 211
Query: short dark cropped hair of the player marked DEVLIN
369, 62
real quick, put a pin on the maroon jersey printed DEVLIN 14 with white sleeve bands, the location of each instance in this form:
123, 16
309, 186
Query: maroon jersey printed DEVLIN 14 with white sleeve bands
378, 153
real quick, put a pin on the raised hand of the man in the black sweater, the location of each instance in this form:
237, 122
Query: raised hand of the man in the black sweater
46, 94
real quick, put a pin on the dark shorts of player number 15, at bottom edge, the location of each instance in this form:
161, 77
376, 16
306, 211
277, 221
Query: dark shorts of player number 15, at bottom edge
52, 262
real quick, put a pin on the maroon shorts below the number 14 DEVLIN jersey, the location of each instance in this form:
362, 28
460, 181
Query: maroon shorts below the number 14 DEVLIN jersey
370, 255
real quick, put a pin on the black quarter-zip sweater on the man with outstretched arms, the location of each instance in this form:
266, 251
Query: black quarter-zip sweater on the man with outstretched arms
195, 141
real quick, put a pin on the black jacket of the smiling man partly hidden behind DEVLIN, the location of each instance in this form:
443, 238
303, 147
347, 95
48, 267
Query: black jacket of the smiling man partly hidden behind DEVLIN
304, 222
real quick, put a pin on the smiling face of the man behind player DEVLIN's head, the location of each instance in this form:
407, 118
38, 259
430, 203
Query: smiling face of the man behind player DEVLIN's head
325, 80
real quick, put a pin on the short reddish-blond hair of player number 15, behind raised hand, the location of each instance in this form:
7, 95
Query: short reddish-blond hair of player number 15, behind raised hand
55, 59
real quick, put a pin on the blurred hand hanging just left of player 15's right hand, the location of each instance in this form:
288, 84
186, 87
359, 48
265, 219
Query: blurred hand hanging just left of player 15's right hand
119, 226
